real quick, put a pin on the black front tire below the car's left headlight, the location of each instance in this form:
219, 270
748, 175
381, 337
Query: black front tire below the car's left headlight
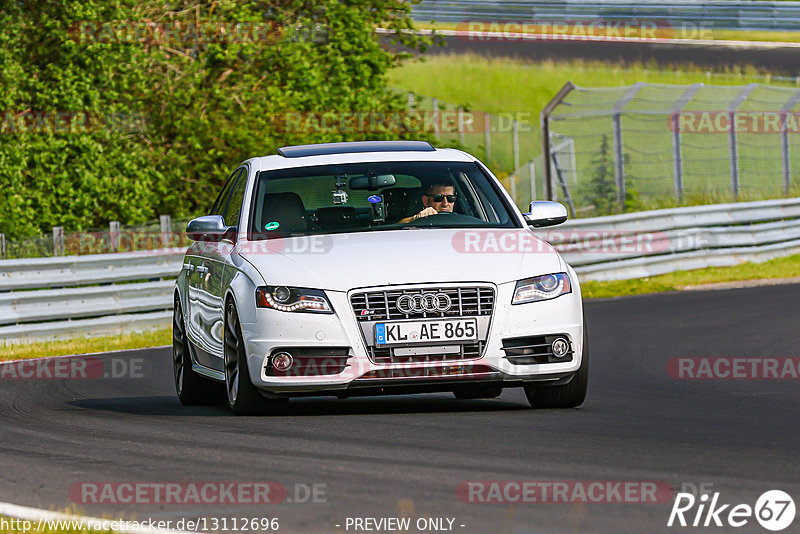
242, 396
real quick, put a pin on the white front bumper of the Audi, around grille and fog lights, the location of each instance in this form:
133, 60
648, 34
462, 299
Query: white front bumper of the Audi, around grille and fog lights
274, 330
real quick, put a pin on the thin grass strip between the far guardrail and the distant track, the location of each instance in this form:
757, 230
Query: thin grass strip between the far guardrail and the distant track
662, 32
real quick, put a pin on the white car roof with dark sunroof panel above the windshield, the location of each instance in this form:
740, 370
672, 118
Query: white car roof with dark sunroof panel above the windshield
402, 151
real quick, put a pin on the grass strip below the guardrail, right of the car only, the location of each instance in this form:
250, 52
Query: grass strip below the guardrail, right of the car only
787, 267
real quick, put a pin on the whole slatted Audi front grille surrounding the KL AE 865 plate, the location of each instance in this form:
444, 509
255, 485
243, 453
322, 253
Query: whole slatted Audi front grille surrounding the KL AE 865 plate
371, 307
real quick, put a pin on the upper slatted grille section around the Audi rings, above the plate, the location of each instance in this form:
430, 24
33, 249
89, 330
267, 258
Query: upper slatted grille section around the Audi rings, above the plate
382, 305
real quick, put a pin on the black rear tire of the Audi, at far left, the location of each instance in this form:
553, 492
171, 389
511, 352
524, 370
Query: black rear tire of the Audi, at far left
192, 389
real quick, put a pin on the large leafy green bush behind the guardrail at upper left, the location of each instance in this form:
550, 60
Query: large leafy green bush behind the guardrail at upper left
156, 126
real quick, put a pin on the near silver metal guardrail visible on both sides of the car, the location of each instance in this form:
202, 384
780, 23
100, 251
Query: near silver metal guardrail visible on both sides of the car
49, 298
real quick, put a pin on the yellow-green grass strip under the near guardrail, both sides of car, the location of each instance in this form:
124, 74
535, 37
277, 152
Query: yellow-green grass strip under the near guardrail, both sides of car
787, 267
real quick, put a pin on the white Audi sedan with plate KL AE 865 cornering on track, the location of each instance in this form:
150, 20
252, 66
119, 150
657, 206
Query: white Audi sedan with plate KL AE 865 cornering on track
374, 268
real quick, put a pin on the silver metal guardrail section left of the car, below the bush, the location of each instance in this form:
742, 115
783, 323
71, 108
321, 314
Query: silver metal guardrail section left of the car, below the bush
93, 295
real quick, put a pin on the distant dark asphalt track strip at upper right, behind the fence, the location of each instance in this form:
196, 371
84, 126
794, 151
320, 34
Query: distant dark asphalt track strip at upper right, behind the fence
782, 60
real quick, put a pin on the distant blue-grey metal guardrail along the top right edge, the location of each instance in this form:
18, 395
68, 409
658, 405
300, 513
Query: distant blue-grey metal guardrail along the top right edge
742, 14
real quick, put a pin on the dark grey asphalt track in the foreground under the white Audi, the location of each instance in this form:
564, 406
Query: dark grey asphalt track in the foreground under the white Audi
405, 456
